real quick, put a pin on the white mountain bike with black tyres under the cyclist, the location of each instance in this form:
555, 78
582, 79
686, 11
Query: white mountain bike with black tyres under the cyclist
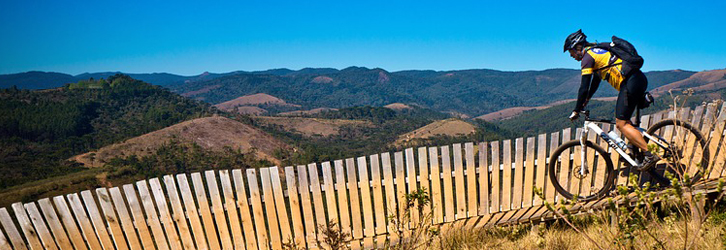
582, 169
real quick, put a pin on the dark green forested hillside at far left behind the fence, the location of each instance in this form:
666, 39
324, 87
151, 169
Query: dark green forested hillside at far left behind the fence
39, 130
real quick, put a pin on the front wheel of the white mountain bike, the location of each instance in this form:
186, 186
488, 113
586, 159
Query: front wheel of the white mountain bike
567, 178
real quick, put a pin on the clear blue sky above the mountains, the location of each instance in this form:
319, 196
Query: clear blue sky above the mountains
190, 37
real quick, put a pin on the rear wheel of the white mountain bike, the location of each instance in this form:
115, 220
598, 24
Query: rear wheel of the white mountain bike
682, 149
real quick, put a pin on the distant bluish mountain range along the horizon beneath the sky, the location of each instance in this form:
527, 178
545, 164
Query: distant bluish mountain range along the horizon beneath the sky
469, 92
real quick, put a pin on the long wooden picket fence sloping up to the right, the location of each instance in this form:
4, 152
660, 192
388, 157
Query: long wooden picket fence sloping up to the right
474, 185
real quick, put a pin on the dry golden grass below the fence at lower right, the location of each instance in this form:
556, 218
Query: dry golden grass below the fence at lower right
558, 236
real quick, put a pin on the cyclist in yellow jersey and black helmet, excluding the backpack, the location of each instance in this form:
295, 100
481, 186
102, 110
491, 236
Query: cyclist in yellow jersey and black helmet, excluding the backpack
599, 64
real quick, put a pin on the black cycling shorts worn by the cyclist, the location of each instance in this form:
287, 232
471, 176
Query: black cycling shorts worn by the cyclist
631, 93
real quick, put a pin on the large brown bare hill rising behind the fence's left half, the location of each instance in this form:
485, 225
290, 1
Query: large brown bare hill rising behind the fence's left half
210, 133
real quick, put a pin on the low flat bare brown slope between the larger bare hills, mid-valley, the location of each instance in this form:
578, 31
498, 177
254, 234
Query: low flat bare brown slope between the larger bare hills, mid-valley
311, 126
